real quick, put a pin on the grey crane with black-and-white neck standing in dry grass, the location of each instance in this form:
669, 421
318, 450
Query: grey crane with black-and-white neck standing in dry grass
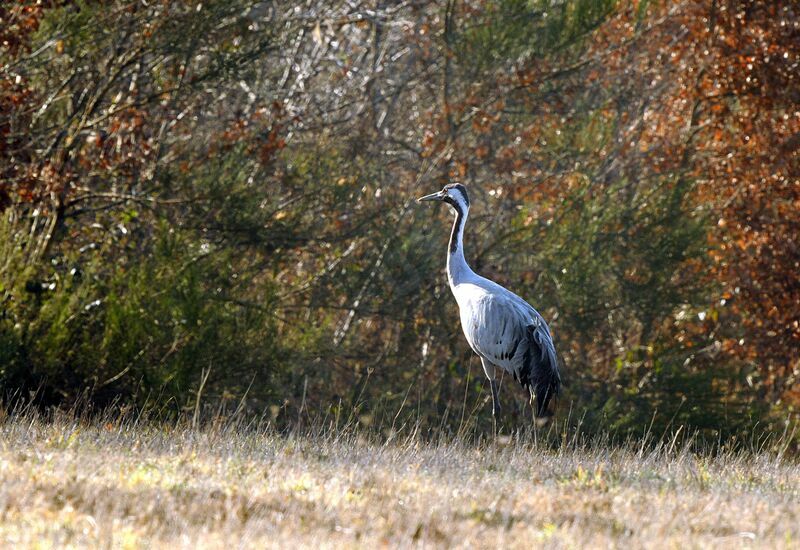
502, 328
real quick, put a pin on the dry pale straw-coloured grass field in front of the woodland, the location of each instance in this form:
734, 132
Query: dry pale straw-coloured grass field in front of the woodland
73, 483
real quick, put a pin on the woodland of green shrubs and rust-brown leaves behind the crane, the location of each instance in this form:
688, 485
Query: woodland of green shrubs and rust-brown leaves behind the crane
218, 196
